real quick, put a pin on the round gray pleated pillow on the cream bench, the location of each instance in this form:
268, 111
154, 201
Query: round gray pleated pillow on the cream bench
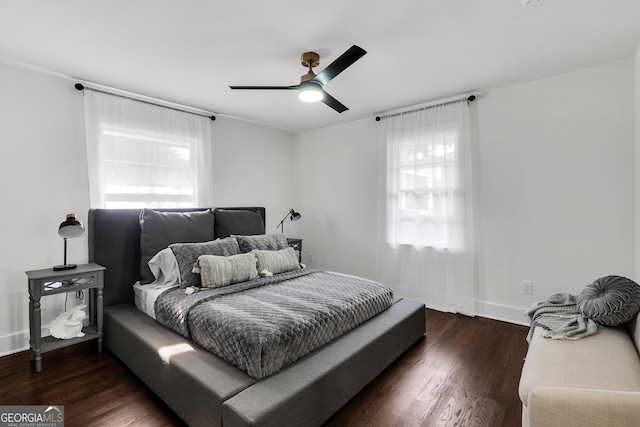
610, 300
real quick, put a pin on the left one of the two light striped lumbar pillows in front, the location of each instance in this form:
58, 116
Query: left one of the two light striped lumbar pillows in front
216, 271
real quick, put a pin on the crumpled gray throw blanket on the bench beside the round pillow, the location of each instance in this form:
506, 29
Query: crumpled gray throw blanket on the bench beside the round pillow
560, 318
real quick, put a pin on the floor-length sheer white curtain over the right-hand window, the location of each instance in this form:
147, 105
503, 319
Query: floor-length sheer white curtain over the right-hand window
427, 238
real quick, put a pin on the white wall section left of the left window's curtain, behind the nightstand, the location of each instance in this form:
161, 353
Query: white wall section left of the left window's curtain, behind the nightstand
43, 167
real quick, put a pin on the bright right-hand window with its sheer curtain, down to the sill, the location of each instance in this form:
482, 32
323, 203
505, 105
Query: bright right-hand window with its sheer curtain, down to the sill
426, 178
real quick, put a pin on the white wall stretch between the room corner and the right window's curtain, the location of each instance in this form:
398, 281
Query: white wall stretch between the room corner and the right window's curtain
336, 185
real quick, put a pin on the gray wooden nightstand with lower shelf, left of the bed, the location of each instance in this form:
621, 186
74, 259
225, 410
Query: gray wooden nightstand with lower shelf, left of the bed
47, 282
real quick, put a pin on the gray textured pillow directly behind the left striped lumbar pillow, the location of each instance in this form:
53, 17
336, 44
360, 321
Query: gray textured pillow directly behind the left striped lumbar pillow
187, 254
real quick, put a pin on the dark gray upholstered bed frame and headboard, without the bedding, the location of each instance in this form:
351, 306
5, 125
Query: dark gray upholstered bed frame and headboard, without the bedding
202, 388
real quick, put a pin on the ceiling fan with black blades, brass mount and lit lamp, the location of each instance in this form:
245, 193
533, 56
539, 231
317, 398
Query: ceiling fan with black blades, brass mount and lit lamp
311, 85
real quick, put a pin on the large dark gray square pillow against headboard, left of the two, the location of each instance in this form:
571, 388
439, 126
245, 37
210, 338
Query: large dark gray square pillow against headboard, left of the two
160, 229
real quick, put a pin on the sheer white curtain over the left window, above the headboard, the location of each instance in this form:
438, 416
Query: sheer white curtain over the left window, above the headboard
144, 155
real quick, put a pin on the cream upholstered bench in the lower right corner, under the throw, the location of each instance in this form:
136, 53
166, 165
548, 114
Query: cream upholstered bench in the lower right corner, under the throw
593, 381
